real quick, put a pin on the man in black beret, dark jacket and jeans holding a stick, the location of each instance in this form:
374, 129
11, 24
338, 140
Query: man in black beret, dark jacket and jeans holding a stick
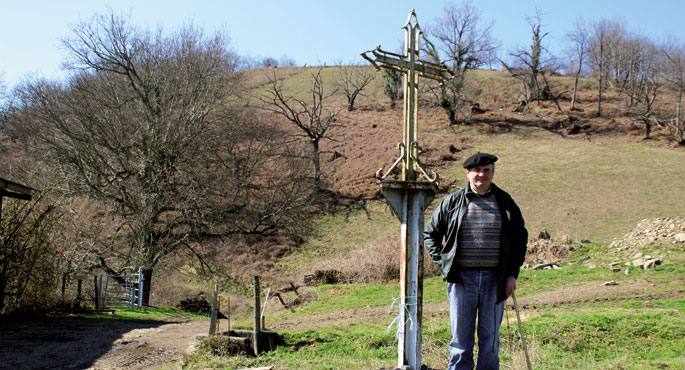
478, 239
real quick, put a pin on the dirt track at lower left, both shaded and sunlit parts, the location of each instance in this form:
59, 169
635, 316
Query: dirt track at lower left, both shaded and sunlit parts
78, 343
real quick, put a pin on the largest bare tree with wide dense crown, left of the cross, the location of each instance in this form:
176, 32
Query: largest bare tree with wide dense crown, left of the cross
147, 124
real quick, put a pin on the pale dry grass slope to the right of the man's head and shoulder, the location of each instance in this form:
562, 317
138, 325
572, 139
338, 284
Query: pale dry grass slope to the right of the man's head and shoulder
587, 190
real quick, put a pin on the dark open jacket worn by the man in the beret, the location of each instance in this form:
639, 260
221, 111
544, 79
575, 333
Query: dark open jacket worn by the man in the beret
440, 235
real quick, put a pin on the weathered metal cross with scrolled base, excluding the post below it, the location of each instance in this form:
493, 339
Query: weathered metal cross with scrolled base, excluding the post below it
412, 68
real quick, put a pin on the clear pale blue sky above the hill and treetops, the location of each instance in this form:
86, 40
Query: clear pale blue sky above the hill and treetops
309, 31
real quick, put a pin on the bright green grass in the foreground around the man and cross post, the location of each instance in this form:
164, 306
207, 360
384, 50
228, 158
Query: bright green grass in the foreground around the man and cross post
346, 326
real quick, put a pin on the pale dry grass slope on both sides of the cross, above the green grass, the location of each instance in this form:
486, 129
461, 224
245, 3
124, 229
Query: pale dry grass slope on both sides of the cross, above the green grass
586, 190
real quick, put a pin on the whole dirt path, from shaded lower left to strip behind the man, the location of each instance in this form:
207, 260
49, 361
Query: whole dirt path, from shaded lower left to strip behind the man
78, 343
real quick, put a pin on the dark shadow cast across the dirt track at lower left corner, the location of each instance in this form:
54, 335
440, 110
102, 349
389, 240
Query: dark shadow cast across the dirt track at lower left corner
60, 342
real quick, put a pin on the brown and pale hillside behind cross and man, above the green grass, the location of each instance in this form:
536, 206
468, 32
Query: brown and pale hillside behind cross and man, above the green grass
572, 173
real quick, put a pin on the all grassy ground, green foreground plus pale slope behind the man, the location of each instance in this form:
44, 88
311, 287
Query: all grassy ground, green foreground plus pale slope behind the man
587, 190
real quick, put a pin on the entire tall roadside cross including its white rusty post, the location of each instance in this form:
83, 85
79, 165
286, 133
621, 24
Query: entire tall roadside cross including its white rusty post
415, 189
